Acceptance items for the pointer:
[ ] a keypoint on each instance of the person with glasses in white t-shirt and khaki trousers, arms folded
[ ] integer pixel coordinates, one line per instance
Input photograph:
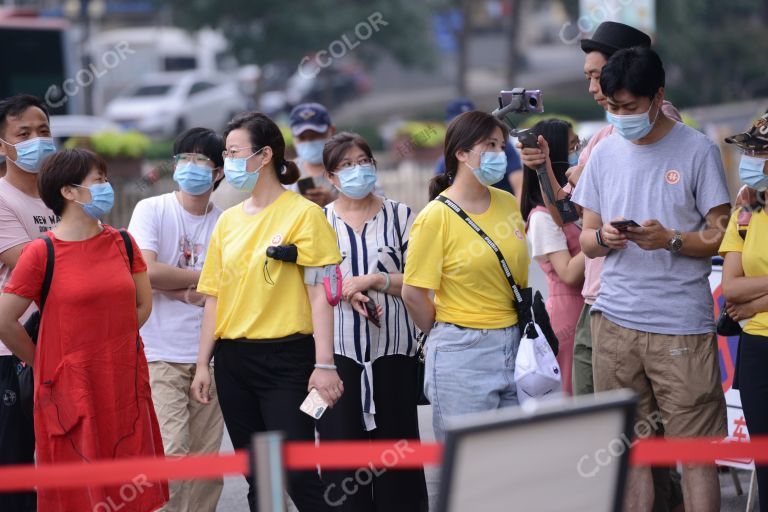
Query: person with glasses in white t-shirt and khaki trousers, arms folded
(173, 231)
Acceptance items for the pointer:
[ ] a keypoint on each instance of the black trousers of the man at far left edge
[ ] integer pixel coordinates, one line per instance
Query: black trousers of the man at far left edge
(17, 434)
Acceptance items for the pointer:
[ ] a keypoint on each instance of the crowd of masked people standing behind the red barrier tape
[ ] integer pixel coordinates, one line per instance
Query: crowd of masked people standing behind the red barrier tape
(149, 341)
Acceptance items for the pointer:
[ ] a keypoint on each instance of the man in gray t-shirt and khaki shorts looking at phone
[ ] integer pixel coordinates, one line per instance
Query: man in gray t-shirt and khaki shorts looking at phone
(652, 324)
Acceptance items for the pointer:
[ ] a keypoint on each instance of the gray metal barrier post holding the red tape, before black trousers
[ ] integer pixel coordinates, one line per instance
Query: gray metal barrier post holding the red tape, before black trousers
(268, 471)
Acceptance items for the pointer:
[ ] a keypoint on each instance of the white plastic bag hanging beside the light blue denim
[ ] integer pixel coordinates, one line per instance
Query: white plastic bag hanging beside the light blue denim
(537, 373)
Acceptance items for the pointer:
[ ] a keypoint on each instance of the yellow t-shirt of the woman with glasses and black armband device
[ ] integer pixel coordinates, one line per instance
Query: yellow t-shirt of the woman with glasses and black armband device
(255, 302)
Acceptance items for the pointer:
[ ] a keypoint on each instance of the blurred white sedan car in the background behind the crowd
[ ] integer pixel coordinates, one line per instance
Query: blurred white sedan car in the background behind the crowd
(165, 104)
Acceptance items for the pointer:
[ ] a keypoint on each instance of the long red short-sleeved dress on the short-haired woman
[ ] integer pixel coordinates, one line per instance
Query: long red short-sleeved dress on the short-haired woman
(92, 394)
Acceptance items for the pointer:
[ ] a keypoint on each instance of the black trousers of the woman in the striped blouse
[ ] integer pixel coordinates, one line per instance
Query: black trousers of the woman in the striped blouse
(367, 489)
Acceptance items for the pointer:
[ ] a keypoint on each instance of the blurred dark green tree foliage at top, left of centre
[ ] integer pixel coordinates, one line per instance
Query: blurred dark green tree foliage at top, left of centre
(262, 31)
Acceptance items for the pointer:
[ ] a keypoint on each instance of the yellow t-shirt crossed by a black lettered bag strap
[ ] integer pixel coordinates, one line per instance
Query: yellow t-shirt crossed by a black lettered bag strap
(447, 255)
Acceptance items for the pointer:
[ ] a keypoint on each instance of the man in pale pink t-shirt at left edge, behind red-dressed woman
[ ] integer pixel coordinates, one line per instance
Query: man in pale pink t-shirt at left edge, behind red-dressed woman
(25, 141)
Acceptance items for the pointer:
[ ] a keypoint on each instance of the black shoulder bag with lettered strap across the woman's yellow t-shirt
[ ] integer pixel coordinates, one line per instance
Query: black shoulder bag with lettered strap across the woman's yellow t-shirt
(529, 305)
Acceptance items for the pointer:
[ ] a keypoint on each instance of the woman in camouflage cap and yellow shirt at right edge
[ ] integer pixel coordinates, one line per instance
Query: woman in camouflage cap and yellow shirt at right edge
(745, 287)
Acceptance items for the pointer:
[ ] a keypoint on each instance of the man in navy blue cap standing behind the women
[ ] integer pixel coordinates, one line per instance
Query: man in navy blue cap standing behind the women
(311, 128)
